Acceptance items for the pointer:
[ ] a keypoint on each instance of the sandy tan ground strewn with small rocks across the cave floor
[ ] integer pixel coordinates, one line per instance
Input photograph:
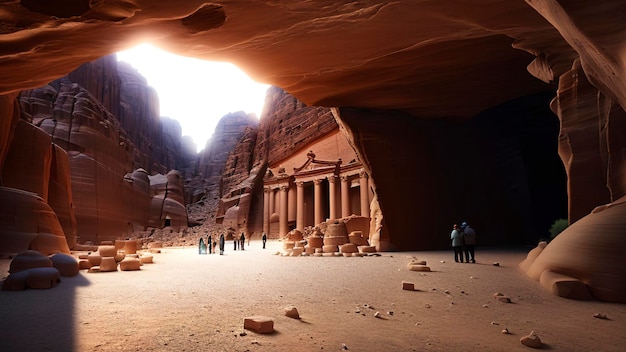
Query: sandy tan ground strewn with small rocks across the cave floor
(190, 302)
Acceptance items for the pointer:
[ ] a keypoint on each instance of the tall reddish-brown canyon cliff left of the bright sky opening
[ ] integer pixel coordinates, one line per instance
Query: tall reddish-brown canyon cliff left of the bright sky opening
(80, 123)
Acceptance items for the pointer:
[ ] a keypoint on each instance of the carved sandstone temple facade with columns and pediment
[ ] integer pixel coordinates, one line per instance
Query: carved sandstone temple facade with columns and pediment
(323, 181)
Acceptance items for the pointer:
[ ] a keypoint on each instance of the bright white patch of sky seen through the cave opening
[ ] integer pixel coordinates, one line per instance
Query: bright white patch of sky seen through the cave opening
(194, 92)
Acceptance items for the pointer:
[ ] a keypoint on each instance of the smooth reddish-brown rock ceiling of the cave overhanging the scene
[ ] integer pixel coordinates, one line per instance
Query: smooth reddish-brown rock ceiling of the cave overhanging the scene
(429, 58)
